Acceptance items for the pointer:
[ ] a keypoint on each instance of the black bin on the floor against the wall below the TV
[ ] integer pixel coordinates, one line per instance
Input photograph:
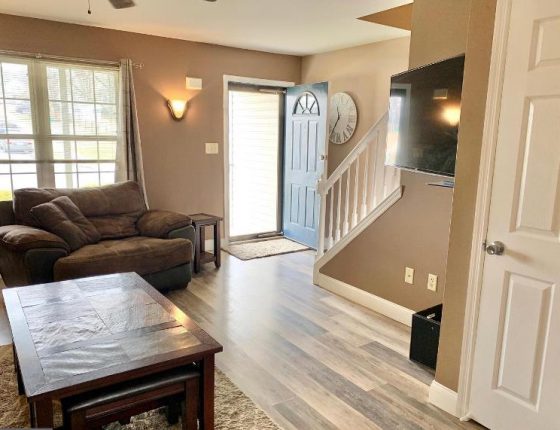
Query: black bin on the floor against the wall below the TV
(425, 336)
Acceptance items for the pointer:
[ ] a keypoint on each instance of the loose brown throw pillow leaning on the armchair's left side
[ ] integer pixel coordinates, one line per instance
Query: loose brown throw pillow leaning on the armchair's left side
(63, 218)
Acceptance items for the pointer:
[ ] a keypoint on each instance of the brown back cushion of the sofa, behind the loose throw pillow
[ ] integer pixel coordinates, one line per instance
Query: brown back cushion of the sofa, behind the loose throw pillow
(112, 209)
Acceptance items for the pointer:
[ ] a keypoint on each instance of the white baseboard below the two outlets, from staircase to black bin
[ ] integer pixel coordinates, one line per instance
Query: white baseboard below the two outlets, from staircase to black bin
(384, 307)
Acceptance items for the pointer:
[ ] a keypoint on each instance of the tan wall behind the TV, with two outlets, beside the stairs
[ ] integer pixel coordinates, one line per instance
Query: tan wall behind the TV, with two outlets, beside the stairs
(415, 231)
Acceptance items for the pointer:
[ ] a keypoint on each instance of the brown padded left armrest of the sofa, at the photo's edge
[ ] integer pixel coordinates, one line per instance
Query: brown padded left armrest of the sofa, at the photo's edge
(21, 238)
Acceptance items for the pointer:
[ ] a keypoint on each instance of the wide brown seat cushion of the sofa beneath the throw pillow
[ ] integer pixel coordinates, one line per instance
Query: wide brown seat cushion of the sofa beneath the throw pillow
(139, 254)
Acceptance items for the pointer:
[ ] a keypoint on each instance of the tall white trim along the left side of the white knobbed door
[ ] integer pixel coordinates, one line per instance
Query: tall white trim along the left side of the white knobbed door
(482, 209)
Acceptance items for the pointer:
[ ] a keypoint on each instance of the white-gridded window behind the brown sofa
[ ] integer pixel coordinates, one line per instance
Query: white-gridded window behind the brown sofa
(59, 125)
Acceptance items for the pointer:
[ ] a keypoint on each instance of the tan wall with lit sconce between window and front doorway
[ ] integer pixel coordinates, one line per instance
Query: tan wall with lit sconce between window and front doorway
(179, 176)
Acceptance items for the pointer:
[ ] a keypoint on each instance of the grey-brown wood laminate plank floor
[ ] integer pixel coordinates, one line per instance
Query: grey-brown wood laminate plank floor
(308, 358)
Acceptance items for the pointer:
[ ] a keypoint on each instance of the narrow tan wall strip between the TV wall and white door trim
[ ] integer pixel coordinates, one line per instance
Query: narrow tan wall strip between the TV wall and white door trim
(475, 87)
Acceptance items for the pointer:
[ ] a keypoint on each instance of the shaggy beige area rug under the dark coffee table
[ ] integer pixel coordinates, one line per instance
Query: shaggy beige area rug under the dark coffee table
(234, 410)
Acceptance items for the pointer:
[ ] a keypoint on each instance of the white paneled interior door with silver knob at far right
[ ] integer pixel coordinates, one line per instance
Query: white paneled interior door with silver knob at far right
(516, 373)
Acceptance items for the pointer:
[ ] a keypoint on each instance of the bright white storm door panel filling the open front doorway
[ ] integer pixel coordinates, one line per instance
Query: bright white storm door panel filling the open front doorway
(255, 121)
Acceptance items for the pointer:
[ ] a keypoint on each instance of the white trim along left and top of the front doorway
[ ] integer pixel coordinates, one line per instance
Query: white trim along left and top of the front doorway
(238, 80)
